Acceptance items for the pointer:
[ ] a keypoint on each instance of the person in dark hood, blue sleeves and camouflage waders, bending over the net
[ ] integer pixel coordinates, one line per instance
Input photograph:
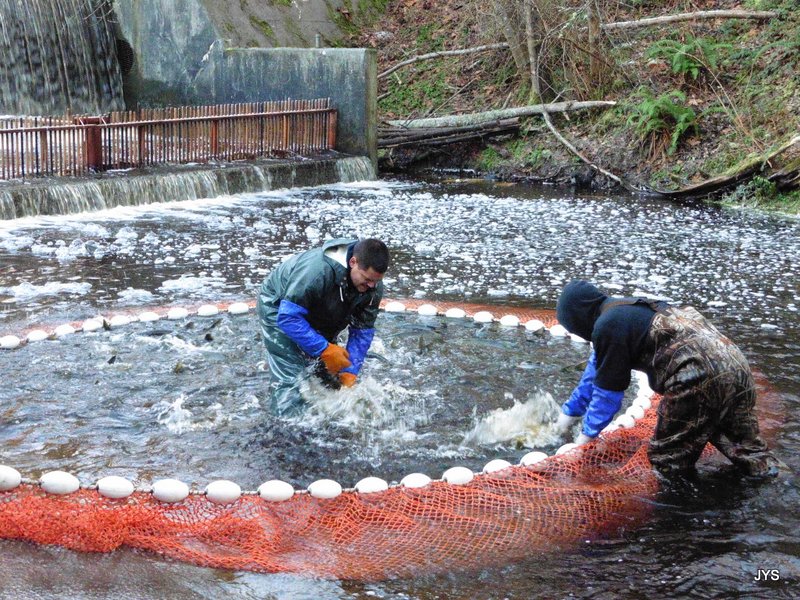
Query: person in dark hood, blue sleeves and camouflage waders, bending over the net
(707, 387)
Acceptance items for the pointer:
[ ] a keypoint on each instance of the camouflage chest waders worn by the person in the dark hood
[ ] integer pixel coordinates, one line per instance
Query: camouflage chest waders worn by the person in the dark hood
(708, 394)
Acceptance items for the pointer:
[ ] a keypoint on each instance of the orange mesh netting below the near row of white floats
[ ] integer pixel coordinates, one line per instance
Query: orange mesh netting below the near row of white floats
(495, 519)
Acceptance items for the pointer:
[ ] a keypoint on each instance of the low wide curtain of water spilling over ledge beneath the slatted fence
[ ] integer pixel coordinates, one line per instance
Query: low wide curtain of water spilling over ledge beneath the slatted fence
(81, 195)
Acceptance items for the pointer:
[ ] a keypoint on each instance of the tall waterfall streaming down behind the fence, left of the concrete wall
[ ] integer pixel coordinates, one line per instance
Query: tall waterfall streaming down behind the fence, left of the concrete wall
(58, 56)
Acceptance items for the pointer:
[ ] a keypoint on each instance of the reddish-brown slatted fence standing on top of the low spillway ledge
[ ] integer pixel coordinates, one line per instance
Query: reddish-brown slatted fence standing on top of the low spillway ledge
(64, 146)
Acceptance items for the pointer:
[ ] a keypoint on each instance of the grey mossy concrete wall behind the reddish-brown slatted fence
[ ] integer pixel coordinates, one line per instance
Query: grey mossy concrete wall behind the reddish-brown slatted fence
(179, 58)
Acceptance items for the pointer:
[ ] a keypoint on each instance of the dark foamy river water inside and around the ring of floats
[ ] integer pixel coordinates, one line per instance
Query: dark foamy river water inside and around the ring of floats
(185, 398)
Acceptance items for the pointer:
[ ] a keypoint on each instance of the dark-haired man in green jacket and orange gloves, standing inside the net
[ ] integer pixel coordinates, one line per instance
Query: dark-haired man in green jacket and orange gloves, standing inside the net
(307, 301)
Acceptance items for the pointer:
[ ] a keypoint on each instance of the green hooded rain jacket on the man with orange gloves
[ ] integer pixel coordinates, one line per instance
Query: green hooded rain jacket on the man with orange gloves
(317, 280)
